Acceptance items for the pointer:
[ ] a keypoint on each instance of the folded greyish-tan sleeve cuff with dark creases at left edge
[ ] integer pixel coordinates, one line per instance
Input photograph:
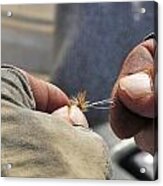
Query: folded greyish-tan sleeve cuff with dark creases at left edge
(16, 88)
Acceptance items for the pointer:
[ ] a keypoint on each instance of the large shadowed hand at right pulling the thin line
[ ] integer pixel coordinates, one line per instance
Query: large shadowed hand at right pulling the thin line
(134, 113)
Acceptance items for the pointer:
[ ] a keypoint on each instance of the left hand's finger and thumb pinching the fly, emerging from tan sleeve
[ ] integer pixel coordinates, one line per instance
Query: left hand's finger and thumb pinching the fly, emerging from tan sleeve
(51, 99)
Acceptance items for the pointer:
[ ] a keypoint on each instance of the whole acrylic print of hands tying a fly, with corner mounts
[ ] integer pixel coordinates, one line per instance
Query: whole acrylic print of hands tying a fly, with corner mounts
(101, 123)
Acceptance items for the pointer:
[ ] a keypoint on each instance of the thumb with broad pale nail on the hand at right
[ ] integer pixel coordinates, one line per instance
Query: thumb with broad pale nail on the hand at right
(136, 92)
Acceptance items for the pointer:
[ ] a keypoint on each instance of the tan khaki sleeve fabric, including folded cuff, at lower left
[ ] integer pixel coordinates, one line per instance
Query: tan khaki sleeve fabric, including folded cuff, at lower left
(37, 144)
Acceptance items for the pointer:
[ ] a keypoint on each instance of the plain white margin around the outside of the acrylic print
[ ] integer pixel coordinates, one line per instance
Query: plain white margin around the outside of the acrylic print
(52, 182)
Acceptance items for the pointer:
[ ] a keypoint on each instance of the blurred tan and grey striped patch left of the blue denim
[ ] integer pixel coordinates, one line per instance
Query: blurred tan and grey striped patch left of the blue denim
(28, 37)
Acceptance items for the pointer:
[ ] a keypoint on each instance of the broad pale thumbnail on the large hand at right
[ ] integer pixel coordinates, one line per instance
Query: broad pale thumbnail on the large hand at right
(136, 85)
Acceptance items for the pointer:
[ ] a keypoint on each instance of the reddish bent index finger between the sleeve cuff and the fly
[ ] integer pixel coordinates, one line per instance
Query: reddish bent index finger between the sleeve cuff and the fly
(48, 97)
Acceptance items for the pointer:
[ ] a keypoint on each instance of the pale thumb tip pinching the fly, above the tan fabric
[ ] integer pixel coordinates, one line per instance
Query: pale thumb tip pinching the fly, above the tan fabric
(72, 114)
